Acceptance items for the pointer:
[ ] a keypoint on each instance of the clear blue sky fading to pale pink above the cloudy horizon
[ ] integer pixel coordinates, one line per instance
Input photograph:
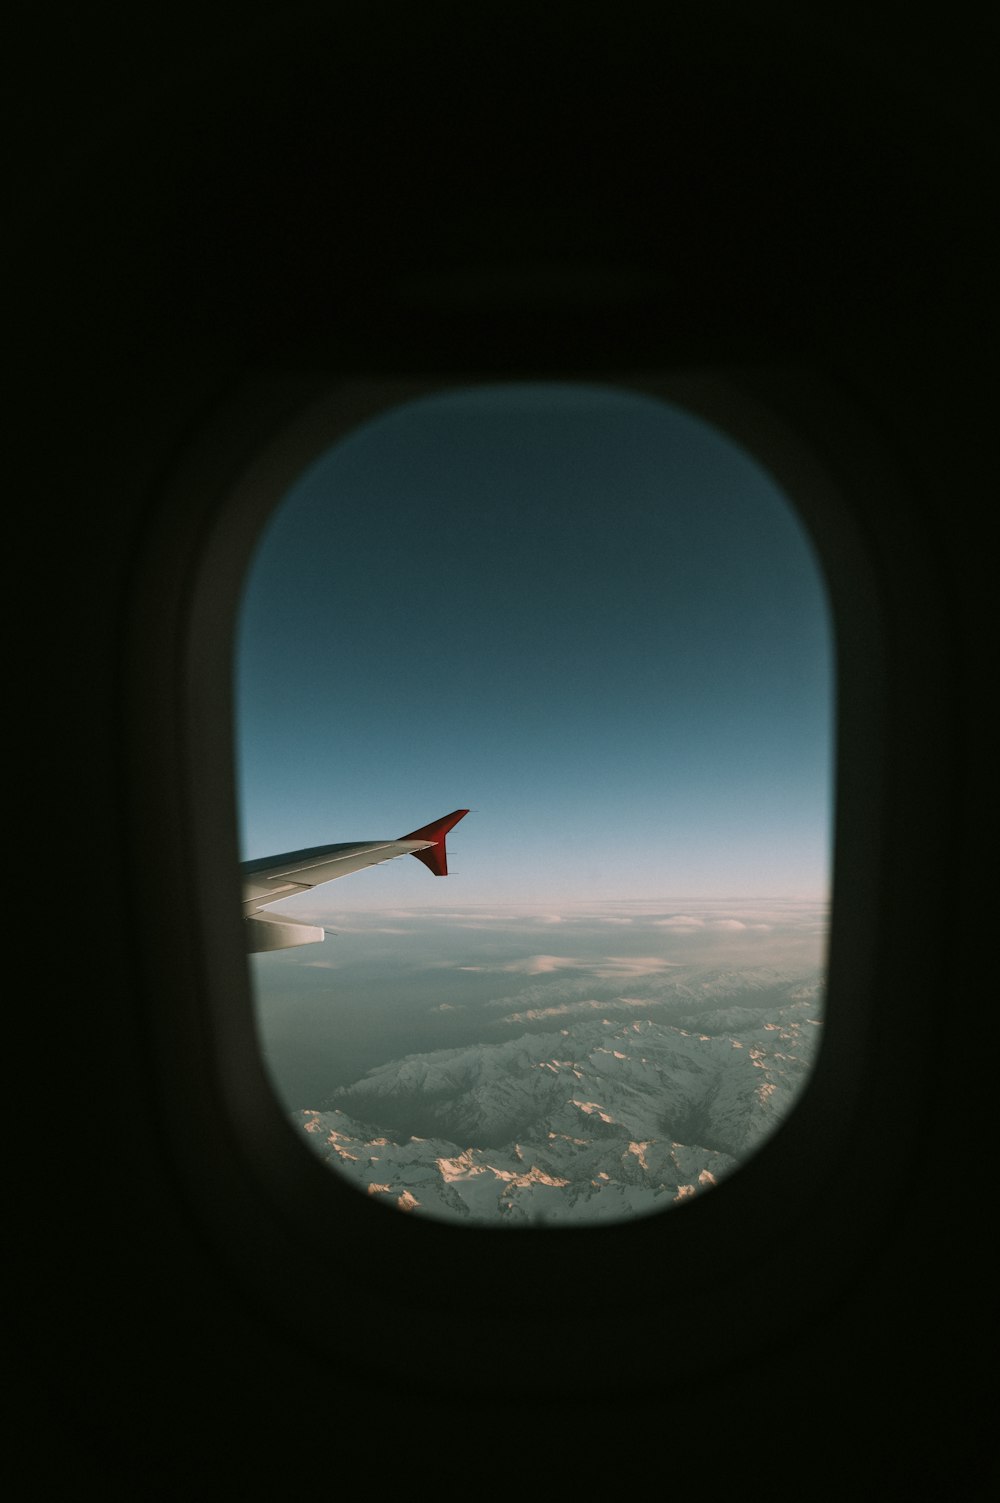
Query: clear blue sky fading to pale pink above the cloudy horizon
(583, 614)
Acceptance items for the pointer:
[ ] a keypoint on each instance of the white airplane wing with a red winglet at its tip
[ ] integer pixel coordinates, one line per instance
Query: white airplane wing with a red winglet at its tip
(274, 877)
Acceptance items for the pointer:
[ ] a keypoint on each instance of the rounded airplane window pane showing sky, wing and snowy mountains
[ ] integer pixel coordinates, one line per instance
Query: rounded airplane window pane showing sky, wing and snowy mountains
(596, 623)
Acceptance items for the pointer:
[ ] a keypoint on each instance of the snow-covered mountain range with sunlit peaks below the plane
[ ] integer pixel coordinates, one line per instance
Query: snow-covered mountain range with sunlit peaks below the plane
(605, 1119)
